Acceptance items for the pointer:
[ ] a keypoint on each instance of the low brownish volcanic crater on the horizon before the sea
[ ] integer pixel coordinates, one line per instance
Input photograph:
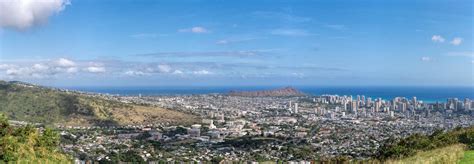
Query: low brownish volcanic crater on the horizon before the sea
(287, 91)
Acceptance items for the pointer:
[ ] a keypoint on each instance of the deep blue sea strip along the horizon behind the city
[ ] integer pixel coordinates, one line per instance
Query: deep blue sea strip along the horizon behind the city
(427, 94)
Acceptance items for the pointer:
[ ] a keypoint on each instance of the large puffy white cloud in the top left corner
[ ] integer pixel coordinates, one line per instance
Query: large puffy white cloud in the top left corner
(23, 14)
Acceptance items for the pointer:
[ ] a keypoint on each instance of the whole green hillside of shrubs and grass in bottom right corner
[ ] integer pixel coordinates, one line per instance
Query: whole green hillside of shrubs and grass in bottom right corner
(454, 146)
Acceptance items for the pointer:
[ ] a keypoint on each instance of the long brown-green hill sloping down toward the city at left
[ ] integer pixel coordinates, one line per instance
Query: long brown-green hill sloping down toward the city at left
(35, 104)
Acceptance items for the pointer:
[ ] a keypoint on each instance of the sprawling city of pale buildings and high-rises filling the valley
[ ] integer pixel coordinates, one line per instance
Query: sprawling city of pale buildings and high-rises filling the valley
(273, 128)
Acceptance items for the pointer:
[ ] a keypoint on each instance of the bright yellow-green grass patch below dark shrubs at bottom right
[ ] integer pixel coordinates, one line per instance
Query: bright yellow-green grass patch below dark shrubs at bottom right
(449, 154)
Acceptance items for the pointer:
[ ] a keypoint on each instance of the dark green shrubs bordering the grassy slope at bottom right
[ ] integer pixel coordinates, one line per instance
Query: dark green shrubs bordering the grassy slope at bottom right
(415, 143)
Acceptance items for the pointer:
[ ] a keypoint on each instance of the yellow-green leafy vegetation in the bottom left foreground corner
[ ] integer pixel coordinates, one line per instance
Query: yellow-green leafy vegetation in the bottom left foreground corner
(25, 144)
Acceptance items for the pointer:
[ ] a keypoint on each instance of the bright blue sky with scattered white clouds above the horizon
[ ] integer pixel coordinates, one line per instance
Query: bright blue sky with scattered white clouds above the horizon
(163, 43)
